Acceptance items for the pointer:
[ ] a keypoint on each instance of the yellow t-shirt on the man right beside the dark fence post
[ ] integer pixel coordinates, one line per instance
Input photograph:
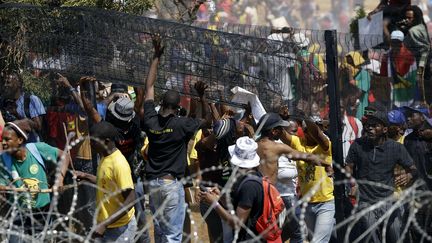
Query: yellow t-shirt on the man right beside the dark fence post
(310, 175)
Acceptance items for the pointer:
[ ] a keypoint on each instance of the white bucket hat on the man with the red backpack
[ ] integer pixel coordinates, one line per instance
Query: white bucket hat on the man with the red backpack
(243, 153)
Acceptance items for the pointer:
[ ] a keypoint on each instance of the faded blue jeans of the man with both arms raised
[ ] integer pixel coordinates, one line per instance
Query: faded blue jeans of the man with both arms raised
(167, 203)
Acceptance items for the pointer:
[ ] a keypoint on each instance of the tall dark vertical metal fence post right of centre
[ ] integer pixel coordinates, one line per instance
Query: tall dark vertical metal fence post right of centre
(335, 122)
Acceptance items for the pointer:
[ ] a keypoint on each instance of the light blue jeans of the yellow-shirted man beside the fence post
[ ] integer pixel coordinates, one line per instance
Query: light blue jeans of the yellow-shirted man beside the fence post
(320, 220)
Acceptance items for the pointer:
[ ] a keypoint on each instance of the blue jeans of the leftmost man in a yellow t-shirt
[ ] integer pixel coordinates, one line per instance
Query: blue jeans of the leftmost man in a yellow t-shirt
(123, 234)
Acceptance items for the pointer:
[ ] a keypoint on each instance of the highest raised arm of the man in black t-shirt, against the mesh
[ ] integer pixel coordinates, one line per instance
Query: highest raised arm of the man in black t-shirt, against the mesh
(151, 78)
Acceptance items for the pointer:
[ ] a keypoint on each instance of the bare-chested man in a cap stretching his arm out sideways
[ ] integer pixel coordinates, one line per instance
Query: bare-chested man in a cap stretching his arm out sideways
(269, 150)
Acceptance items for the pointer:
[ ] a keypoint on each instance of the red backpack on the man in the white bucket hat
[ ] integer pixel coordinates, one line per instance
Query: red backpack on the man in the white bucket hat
(273, 205)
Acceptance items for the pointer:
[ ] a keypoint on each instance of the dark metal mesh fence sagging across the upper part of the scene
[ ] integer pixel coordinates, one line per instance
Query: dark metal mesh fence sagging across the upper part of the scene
(305, 69)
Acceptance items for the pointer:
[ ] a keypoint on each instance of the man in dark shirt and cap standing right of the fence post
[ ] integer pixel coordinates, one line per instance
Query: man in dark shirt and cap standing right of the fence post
(371, 160)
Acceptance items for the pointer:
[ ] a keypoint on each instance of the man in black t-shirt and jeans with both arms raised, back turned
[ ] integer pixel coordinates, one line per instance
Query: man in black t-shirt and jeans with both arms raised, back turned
(168, 136)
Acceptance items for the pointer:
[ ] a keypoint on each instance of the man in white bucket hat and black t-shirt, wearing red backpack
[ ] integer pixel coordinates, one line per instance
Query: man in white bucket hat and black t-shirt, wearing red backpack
(248, 197)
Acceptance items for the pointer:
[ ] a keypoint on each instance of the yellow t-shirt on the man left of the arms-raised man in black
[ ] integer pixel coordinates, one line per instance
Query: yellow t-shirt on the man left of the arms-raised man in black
(113, 176)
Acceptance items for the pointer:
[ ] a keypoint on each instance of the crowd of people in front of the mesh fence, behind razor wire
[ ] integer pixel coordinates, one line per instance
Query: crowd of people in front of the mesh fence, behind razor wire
(221, 159)
